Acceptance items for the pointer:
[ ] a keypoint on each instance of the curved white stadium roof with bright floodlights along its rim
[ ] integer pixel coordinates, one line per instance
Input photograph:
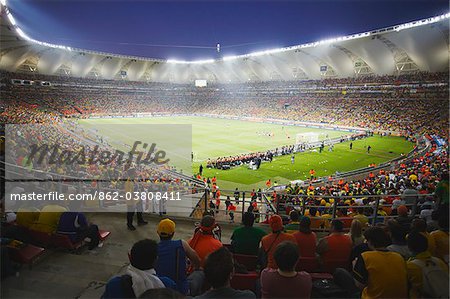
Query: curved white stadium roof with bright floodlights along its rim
(417, 46)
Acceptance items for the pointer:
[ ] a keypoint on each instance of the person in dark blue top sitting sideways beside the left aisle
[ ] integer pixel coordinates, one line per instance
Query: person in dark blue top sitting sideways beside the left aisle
(76, 226)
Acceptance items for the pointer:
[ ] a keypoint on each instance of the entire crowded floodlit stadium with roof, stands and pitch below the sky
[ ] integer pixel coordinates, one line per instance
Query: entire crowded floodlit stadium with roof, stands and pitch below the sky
(322, 166)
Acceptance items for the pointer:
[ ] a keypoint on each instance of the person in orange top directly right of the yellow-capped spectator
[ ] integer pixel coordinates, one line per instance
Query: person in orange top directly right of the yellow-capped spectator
(203, 241)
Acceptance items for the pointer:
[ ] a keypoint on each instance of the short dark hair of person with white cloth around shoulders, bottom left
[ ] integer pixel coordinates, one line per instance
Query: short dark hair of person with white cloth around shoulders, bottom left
(143, 254)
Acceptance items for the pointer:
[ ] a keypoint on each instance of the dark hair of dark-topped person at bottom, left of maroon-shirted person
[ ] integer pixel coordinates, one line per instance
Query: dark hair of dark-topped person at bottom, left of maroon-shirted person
(218, 267)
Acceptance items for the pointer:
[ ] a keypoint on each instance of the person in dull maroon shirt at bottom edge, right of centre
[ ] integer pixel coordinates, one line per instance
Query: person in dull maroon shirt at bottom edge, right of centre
(274, 282)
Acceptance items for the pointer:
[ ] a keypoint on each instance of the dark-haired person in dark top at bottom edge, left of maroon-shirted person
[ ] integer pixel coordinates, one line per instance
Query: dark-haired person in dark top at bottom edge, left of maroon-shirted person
(218, 272)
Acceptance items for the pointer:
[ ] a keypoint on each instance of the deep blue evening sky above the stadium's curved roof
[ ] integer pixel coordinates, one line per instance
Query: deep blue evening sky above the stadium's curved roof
(190, 30)
